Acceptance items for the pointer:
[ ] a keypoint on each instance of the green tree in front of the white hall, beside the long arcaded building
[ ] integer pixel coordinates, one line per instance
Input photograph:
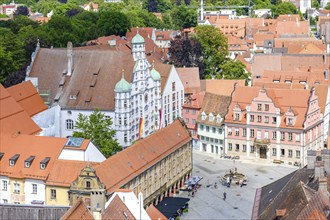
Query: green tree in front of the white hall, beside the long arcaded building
(97, 128)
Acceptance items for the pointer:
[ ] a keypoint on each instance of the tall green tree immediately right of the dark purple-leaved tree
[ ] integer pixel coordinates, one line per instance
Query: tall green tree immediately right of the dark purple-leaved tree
(214, 46)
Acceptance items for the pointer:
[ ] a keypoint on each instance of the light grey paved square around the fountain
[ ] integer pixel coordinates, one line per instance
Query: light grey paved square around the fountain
(208, 202)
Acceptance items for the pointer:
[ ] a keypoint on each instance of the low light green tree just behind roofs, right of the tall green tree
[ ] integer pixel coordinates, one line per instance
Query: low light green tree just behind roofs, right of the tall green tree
(232, 69)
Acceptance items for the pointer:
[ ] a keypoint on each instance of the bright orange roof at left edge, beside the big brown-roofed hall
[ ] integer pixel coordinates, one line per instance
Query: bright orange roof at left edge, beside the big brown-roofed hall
(27, 96)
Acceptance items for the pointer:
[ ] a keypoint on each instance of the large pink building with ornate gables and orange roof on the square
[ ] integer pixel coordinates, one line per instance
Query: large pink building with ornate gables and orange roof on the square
(273, 124)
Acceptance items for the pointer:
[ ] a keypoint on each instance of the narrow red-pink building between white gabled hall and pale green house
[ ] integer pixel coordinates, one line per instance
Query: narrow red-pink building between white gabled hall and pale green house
(190, 111)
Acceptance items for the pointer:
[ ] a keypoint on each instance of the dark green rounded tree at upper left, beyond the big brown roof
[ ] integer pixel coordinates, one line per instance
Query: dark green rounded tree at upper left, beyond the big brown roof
(113, 22)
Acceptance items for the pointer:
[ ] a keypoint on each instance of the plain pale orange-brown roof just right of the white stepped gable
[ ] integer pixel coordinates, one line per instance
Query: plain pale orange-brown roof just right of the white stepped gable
(190, 79)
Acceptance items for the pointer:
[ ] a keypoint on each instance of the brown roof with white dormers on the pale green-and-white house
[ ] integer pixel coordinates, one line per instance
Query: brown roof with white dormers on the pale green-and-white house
(215, 104)
